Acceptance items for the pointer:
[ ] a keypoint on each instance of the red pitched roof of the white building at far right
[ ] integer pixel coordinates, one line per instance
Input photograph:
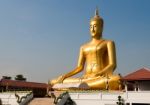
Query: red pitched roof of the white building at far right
(141, 74)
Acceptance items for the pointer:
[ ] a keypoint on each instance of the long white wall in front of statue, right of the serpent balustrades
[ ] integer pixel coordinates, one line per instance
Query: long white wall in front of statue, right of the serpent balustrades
(110, 98)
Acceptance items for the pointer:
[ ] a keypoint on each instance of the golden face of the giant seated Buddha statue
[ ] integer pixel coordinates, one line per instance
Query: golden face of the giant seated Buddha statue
(95, 29)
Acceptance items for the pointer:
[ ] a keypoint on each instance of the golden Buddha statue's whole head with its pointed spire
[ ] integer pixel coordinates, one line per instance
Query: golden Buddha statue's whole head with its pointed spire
(96, 25)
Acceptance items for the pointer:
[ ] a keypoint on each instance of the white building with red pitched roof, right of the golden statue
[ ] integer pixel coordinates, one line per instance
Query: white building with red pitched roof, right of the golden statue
(138, 80)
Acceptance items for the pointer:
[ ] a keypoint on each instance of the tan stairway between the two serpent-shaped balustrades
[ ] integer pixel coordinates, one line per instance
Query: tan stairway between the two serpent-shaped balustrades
(41, 101)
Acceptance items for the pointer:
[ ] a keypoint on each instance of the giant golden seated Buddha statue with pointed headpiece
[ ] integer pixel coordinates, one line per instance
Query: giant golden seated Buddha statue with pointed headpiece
(99, 57)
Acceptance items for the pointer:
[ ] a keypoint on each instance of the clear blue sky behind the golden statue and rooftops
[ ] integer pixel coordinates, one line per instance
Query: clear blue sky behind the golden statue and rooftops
(41, 38)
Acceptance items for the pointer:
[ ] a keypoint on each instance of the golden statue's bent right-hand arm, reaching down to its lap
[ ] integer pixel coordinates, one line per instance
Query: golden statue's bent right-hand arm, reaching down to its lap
(108, 70)
